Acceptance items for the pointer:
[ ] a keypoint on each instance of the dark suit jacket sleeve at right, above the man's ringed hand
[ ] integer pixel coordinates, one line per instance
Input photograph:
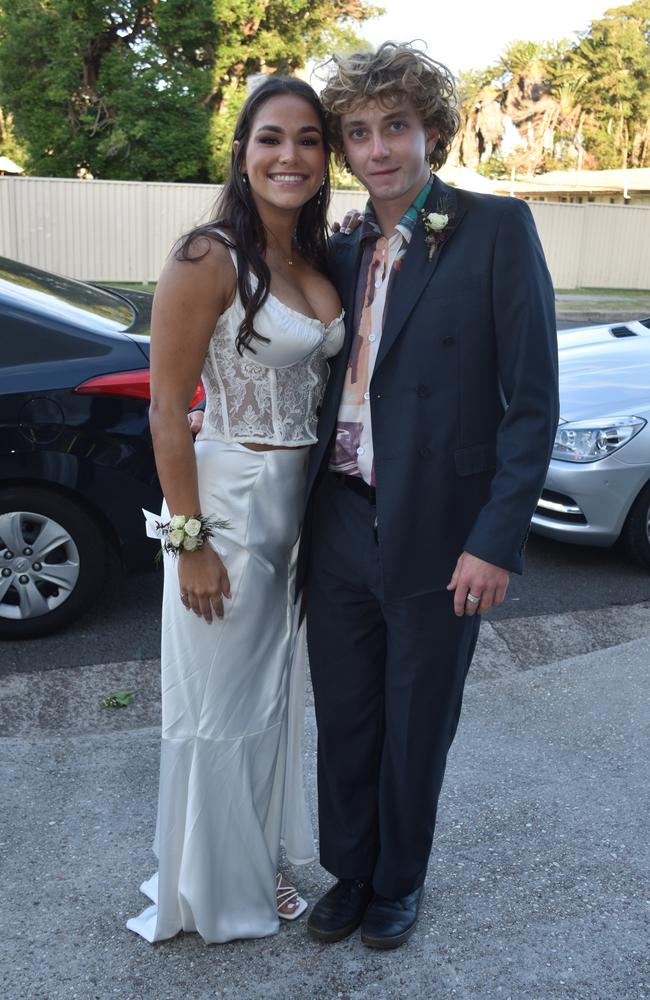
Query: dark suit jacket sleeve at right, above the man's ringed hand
(526, 343)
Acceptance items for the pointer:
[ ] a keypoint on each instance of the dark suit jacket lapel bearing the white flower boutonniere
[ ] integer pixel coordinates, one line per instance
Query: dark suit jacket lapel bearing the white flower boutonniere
(417, 269)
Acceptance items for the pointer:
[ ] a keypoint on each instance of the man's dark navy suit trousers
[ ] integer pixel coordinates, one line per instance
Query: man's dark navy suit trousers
(388, 683)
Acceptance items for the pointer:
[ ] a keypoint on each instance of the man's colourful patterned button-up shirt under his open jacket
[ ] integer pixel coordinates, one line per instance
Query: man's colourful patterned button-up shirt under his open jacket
(381, 259)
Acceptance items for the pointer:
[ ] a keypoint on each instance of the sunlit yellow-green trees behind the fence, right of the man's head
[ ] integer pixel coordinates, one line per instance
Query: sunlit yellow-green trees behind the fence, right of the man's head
(585, 103)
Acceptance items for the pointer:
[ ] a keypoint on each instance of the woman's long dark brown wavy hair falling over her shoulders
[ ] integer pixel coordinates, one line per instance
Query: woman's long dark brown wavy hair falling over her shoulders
(235, 211)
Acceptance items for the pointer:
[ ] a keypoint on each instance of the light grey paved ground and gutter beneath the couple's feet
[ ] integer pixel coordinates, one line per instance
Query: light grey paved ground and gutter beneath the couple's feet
(538, 880)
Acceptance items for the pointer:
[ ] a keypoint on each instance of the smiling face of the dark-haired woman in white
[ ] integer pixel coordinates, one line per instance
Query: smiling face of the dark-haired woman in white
(285, 154)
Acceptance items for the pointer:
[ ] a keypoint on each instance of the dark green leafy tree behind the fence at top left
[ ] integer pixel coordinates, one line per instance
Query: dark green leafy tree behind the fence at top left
(113, 89)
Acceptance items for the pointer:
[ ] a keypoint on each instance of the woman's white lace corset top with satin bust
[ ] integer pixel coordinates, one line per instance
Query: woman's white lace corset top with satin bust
(272, 396)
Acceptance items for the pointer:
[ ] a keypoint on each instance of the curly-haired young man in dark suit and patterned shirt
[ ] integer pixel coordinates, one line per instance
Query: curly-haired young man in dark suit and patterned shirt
(435, 435)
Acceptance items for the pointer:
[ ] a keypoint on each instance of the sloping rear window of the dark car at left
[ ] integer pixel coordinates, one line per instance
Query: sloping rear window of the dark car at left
(62, 298)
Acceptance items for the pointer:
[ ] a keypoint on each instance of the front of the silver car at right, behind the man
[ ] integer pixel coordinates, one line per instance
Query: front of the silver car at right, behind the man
(598, 483)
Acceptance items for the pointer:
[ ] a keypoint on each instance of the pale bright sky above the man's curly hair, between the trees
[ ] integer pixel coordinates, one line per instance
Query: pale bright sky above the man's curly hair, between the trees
(471, 34)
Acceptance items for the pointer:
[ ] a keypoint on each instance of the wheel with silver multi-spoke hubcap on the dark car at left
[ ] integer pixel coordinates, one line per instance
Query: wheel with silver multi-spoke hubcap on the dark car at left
(52, 562)
